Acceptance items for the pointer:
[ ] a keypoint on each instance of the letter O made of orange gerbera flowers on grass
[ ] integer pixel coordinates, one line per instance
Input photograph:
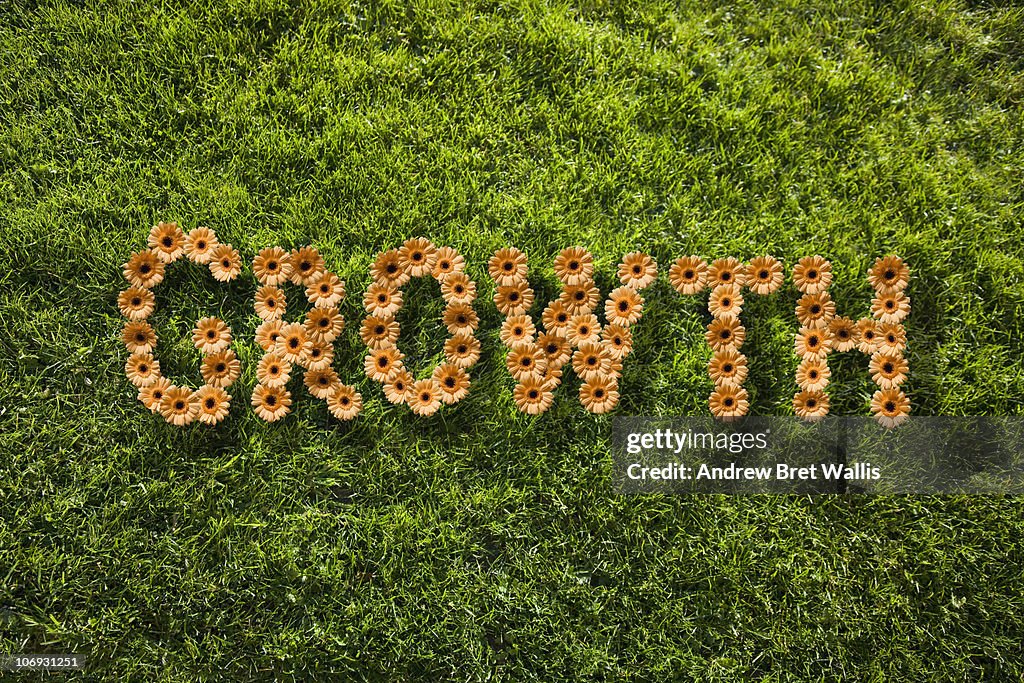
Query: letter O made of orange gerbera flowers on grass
(450, 381)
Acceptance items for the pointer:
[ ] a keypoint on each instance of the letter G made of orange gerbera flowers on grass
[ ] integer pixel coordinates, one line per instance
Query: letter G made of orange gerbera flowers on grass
(145, 270)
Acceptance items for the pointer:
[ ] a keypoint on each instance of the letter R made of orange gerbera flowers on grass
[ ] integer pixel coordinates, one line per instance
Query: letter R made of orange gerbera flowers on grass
(309, 345)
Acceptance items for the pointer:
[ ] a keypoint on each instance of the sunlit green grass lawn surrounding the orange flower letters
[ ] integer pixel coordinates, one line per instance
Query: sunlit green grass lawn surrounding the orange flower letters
(481, 543)
